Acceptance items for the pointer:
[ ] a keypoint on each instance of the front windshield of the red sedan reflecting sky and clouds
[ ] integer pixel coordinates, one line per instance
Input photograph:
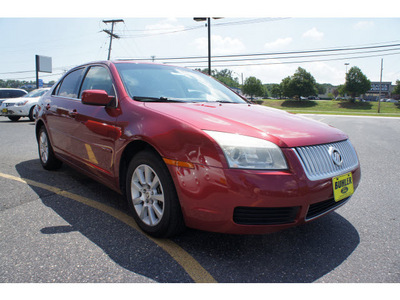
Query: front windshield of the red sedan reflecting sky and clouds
(148, 82)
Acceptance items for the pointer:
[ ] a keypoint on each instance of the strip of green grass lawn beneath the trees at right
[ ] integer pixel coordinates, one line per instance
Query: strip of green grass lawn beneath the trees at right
(336, 107)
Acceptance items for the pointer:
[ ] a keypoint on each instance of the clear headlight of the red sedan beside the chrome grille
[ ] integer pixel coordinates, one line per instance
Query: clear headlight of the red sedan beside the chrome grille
(245, 152)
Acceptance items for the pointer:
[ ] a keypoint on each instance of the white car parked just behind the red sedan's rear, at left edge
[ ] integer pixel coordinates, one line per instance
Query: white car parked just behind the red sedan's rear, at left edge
(24, 106)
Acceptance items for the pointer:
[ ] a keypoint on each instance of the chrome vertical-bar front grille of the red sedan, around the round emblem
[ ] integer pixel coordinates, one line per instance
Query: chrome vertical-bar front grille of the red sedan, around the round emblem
(318, 163)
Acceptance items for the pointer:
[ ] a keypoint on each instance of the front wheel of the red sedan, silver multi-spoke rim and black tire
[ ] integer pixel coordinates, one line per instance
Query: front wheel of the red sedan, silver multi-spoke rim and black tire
(152, 197)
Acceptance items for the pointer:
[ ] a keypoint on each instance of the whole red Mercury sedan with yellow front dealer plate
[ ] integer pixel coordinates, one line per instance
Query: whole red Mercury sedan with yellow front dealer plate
(187, 151)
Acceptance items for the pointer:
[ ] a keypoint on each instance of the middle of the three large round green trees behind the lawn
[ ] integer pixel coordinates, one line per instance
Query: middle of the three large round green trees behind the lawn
(301, 83)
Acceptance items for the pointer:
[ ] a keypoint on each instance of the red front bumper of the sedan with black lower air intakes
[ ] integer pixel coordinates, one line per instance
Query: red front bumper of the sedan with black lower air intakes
(252, 201)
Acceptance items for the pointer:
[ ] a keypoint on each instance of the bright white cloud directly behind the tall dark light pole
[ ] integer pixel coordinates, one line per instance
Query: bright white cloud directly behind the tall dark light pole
(220, 45)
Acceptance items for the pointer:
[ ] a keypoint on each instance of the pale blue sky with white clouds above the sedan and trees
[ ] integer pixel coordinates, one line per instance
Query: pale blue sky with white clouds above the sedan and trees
(73, 34)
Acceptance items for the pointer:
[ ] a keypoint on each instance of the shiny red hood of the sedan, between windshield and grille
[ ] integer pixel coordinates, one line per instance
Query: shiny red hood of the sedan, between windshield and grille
(282, 128)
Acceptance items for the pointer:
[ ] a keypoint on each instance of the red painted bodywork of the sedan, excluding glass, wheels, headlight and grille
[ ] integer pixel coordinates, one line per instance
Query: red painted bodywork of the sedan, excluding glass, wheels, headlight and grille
(94, 140)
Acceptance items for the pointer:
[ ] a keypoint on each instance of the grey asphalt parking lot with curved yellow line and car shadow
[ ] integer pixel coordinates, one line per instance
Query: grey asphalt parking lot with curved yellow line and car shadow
(63, 227)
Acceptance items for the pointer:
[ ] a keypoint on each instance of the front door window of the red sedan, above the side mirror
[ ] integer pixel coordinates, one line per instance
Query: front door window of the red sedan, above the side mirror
(98, 78)
